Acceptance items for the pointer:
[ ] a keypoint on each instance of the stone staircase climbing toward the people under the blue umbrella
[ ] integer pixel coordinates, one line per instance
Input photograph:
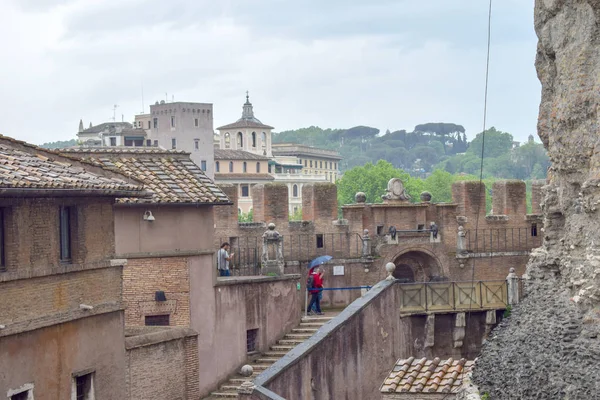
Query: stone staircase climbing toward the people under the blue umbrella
(308, 326)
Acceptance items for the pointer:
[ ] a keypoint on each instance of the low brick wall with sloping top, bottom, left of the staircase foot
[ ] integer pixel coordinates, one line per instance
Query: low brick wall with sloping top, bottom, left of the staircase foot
(162, 363)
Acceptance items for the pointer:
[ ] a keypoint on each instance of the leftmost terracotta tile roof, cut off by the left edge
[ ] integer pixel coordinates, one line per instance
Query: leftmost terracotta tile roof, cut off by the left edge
(26, 166)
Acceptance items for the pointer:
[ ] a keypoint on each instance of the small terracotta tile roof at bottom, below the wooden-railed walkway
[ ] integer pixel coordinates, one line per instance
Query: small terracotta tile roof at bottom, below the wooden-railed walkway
(426, 376)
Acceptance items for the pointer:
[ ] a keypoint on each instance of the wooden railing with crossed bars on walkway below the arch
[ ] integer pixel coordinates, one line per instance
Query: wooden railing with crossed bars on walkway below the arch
(453, 296)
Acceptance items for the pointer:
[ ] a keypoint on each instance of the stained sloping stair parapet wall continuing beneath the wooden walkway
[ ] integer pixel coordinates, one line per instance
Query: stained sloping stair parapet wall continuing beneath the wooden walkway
(351, 356)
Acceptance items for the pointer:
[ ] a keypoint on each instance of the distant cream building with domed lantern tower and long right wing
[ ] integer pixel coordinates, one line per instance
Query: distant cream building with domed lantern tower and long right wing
(245, 156)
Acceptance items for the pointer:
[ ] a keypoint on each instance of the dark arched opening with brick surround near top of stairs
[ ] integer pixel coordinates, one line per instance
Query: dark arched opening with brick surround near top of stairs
(417, 265)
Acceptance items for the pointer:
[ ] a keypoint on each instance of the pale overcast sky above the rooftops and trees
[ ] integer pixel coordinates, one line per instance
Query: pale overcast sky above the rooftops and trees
(390, 64)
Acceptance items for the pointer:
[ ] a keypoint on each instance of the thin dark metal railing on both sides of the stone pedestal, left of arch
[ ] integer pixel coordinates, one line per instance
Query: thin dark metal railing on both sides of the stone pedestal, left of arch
(298, 247)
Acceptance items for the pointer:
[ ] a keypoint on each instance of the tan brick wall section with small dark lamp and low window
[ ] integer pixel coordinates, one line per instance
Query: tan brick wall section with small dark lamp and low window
(142, 277)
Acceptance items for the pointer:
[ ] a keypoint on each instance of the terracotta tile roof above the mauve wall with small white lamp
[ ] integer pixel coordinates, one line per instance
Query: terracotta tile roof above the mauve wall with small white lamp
(171, 176)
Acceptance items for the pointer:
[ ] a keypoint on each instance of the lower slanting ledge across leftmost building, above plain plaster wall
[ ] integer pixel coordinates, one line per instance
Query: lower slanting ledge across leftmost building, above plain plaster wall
(58, 318)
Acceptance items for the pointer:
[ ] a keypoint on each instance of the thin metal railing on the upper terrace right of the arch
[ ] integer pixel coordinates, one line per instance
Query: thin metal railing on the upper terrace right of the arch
(502, 240)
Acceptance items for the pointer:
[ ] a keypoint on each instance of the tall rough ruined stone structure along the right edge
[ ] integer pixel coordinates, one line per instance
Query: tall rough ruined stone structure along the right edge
(550, 348)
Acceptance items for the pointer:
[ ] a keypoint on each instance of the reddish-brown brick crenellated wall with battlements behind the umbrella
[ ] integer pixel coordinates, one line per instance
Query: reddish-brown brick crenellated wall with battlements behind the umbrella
(502, 238)
